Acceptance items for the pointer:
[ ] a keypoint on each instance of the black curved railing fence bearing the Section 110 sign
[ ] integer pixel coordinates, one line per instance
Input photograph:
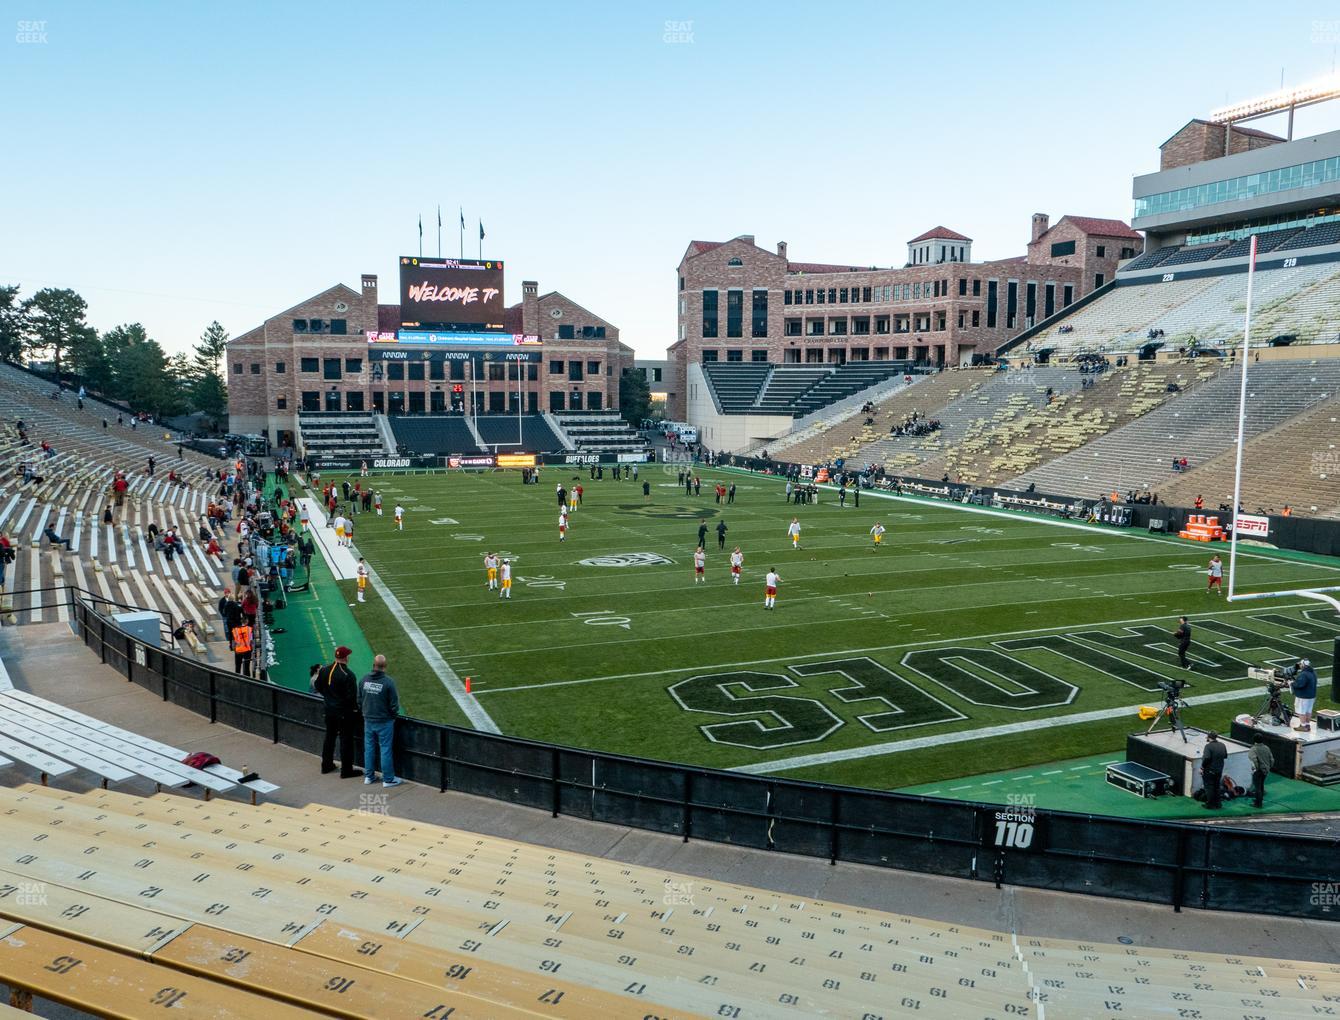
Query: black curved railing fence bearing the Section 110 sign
(1160, 863)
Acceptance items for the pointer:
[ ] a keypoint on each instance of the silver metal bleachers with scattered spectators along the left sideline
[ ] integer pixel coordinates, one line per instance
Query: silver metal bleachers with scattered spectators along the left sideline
(116, 564)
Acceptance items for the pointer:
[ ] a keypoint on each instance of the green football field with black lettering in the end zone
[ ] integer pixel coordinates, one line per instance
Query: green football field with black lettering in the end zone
(971, 643)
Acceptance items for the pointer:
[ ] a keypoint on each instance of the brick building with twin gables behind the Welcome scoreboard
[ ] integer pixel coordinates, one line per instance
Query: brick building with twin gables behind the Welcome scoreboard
(317, 357)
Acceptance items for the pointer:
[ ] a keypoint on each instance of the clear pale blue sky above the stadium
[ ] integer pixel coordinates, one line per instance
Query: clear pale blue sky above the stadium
(179, 163)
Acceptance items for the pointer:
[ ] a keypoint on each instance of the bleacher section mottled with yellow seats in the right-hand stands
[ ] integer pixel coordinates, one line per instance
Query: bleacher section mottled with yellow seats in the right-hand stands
(1002, 450)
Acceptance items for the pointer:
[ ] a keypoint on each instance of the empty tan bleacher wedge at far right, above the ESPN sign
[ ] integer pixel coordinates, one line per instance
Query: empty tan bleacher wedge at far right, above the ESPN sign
(1296, 463)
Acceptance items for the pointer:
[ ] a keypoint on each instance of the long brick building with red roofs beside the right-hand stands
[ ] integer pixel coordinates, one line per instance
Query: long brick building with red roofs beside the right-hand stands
(742, 302)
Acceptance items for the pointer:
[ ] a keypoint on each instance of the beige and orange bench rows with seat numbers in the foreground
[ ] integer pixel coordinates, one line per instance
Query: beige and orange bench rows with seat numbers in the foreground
(321, 923)
